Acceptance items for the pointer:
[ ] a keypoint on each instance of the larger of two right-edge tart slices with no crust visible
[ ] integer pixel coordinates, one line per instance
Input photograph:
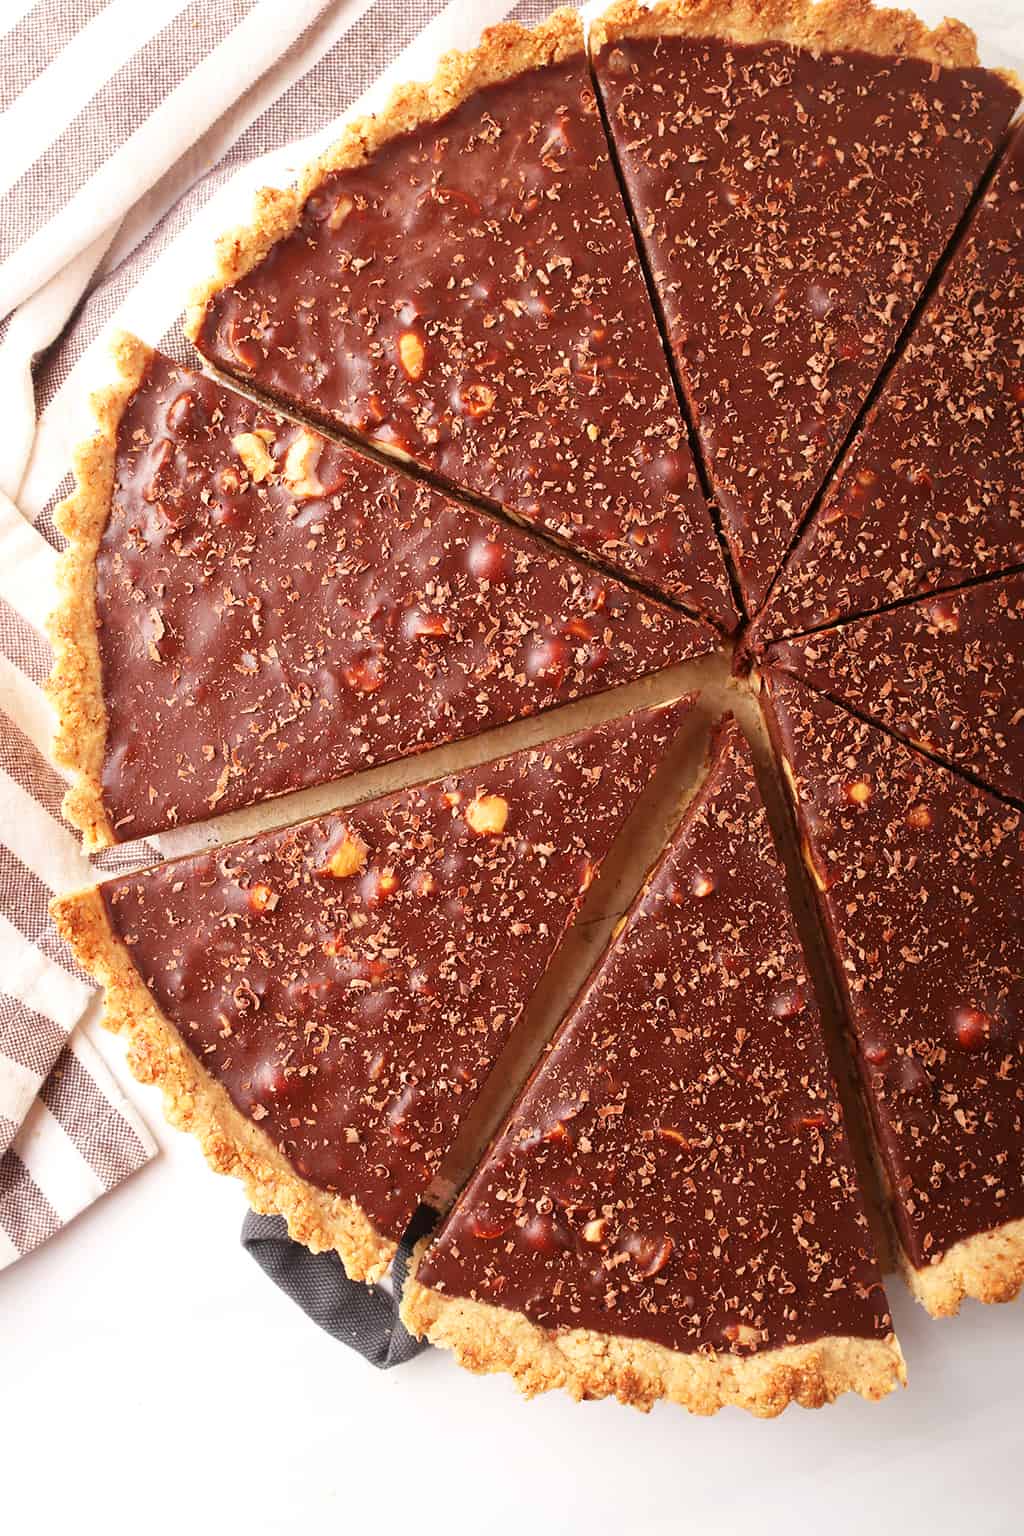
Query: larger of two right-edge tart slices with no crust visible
(933, 488)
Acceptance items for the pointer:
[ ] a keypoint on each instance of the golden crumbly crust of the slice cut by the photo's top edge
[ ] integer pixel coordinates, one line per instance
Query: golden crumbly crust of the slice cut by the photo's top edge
(825, 27)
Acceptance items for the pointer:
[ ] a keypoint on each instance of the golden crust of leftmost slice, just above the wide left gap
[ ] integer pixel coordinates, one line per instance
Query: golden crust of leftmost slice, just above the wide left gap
(76, 681)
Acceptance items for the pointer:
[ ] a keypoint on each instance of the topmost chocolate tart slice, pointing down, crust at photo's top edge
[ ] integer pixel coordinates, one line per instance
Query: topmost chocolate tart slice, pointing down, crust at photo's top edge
(796, 173)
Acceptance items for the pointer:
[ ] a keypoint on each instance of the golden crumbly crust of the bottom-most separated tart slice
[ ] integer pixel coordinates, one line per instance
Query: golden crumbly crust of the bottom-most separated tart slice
(638, 1372)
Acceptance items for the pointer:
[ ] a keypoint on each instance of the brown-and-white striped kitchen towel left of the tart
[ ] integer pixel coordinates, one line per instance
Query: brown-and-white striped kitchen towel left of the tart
(134, 133)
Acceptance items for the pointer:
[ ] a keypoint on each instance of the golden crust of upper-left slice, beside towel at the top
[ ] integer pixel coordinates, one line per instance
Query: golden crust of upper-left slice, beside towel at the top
(504, 51)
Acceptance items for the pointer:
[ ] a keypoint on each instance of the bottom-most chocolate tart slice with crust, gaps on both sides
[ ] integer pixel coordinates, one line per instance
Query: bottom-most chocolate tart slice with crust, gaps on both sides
(672, 1210)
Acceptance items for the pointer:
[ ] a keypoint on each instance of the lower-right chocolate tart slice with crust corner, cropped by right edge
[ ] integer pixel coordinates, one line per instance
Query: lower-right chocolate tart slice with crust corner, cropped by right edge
(920, 879)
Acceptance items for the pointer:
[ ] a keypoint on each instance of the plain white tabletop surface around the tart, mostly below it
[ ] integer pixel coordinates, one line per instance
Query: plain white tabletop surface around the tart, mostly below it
(153, 1380)
